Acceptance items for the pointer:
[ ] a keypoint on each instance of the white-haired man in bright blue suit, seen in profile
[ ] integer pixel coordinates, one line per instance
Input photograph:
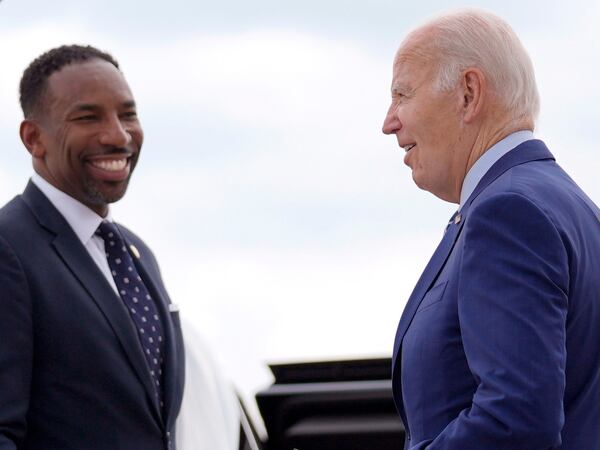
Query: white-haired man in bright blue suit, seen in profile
(499, 344)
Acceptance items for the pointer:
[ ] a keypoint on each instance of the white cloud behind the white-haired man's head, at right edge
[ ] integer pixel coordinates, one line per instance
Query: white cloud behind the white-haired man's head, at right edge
(567, 71)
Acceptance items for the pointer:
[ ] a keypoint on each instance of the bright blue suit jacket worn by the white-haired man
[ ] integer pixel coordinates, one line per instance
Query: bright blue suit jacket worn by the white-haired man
(499, 344)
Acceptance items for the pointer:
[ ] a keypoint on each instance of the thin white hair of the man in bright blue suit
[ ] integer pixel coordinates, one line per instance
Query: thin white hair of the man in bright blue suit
(477, 38)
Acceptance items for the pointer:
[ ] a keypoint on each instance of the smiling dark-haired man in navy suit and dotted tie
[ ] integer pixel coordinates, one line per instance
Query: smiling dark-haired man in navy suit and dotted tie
(91, 352)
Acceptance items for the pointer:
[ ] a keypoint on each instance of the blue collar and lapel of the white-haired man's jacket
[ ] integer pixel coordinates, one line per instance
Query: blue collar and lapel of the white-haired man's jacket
(532, 150)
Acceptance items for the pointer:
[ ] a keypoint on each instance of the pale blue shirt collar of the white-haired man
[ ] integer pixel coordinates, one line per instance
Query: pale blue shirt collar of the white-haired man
(488, 159)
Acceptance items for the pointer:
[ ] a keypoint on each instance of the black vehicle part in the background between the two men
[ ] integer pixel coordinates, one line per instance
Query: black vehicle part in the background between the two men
(330, 405)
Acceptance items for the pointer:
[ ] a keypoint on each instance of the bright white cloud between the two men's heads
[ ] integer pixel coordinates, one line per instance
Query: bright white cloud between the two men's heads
(272, 80)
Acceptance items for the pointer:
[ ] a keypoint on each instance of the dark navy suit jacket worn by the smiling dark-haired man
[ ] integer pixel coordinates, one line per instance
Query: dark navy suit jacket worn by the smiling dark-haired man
(72, 372)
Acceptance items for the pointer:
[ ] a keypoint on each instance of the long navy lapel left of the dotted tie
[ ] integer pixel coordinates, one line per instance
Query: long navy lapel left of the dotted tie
(77, 259)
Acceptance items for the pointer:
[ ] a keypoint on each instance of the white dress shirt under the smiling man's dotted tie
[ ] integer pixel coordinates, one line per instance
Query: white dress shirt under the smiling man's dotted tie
(82, 220)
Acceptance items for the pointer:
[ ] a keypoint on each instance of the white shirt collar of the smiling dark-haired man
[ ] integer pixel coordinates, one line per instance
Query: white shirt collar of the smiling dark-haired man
(80, 218)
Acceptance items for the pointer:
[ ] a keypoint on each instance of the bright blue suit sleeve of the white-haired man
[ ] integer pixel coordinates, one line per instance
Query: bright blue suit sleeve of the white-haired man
(513, 299)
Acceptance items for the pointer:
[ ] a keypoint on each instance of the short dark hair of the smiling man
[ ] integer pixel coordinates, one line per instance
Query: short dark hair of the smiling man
(35, 78)
